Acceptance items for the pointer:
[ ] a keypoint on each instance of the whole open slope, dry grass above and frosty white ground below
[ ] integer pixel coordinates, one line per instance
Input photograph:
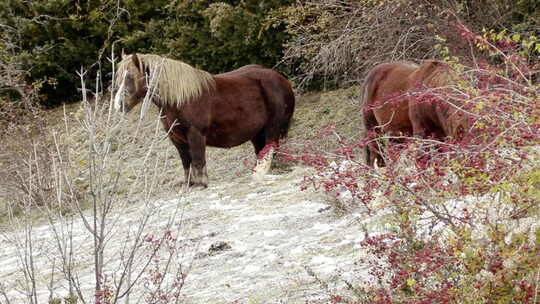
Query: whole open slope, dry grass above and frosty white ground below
(246, 241)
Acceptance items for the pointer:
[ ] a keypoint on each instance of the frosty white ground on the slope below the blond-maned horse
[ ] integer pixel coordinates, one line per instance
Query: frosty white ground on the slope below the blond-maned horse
(277, 235)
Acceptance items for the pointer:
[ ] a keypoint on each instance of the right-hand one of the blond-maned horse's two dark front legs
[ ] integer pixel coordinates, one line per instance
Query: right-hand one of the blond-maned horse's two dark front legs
(197, 145)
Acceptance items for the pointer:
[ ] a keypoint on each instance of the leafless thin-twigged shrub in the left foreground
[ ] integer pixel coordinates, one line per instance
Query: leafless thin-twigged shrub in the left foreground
(87, 214)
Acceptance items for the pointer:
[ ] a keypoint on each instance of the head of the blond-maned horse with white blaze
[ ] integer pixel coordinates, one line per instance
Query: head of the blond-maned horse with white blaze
(131, 81)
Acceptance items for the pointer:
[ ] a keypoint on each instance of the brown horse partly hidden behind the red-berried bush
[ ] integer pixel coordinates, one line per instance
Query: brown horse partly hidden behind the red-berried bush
(392, 103)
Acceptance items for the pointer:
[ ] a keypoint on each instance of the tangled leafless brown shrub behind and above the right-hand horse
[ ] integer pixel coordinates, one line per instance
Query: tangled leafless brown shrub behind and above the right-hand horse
(337, 41)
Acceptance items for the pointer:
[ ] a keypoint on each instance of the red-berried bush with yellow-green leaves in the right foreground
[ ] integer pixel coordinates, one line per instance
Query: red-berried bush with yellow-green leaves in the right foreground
(462, 220)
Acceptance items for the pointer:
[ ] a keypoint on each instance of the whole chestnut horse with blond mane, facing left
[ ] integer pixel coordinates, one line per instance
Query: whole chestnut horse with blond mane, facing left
(199, 109)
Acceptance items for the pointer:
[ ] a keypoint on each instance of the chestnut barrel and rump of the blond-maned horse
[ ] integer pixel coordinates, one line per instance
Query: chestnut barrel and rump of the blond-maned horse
(243, 103)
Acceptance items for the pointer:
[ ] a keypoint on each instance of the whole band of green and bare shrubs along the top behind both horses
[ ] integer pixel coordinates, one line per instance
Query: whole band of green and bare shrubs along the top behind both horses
(53, 39)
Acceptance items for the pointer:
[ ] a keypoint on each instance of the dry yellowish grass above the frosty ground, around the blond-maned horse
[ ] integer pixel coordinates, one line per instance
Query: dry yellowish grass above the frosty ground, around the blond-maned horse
(313, 112)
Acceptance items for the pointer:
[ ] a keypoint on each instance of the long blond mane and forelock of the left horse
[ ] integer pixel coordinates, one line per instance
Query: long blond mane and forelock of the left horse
(175, 82)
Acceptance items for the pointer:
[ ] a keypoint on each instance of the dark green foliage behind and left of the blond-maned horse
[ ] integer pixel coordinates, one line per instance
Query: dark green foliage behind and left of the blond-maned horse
(54, 39)
